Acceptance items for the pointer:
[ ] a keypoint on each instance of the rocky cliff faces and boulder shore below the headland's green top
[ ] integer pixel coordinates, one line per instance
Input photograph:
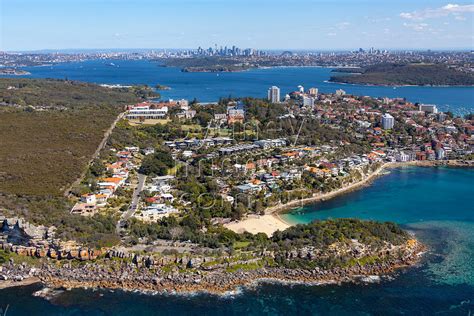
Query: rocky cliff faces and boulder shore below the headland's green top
(191, 273)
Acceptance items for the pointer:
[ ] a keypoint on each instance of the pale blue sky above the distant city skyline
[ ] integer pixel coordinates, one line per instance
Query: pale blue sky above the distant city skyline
(262, 24)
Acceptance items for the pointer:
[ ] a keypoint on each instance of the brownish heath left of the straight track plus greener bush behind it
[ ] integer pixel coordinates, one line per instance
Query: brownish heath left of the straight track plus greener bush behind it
(44, 151)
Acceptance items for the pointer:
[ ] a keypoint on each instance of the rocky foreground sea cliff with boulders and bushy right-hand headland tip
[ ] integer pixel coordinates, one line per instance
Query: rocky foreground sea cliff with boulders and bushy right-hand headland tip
(332, 251)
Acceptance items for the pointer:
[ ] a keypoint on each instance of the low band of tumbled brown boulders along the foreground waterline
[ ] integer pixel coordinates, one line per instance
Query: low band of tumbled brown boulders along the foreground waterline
(144, 279)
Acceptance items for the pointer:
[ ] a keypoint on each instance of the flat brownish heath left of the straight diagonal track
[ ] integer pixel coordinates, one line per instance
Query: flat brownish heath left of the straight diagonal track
(43, 152)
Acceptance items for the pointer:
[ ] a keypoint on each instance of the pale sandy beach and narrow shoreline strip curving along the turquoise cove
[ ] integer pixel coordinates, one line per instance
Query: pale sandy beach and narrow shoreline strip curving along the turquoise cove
(272, 219)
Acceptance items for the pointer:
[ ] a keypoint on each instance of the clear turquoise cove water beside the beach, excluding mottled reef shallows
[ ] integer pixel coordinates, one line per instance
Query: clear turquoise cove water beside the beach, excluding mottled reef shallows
(406, 195)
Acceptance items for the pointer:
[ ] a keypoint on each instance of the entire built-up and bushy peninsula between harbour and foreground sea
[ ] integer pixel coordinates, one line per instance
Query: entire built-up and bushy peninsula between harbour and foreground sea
(157, 195)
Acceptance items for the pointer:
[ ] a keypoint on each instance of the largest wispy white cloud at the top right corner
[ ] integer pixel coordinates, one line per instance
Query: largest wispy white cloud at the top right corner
(456, 10)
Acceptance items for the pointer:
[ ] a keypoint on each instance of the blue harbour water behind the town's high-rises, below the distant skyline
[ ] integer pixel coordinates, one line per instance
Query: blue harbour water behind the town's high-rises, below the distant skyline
(208, 87)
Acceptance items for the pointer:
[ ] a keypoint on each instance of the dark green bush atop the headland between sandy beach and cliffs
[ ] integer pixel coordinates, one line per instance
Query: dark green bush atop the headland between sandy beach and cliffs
(321, 235)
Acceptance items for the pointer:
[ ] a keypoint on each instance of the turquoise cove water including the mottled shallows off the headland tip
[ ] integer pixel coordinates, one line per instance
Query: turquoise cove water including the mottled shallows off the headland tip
(423, 200)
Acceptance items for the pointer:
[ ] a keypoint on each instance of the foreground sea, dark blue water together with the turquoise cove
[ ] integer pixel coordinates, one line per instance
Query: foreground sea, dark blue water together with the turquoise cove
(437, 204)
